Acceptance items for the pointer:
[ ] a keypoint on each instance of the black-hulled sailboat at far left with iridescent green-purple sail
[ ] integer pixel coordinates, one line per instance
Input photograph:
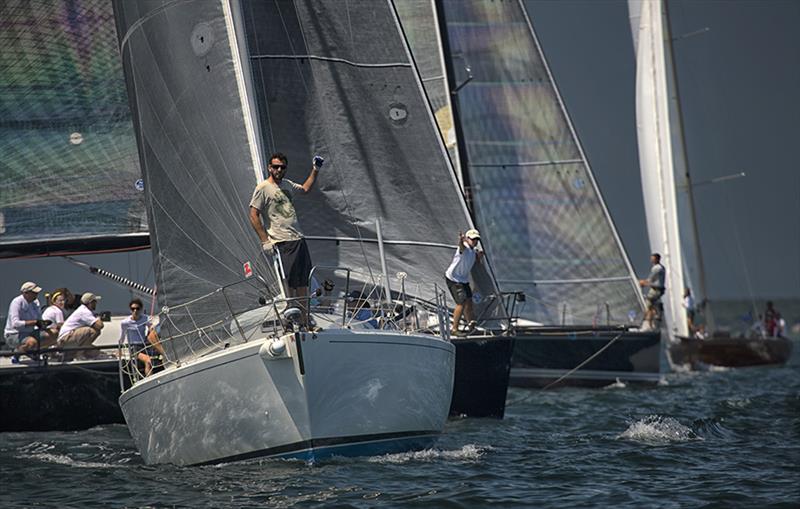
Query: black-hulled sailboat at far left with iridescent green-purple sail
(70, 186)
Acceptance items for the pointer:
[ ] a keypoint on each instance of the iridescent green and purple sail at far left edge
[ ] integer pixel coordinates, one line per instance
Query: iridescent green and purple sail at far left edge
(71, 177)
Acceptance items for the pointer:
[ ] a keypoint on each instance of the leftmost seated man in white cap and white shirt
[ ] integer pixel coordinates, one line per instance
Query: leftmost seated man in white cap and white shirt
(25, 331)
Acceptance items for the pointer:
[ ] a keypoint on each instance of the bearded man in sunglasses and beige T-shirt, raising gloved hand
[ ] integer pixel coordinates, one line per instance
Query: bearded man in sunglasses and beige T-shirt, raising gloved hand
(274, 220)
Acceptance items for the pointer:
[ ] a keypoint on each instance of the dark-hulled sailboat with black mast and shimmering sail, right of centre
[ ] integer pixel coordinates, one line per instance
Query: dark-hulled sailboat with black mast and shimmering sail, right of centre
(553, 246)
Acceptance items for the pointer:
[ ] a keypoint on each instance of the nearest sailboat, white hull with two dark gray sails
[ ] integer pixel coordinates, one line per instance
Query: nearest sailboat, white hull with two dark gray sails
(215, 86)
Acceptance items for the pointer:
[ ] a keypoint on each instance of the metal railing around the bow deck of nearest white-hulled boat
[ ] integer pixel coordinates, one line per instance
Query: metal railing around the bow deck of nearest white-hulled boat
(239, 312)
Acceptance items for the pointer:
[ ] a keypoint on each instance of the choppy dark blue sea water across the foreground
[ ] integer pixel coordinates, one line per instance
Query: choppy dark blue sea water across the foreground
(720, 438)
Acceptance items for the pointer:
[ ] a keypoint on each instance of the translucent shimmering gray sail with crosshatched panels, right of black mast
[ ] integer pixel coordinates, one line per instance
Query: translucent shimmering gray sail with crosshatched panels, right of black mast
(544, 223)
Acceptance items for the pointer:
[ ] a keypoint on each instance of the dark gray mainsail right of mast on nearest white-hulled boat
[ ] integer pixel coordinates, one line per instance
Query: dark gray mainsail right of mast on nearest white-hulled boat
(337, 79)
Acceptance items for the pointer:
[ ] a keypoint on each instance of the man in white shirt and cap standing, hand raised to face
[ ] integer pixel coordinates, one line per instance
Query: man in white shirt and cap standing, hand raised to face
(457, 277)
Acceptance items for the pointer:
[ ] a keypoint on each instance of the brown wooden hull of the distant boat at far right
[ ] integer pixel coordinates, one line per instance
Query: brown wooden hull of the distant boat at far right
(729, 352)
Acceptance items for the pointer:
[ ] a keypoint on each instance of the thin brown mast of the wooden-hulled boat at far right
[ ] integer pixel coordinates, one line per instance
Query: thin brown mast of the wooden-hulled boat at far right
(676, 102)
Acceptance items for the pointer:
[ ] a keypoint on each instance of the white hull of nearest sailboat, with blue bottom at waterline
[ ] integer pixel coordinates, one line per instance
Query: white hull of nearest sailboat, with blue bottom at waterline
(335, 392)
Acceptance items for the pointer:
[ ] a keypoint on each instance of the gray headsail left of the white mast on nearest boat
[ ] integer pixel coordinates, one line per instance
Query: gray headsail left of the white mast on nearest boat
(198, 162)
